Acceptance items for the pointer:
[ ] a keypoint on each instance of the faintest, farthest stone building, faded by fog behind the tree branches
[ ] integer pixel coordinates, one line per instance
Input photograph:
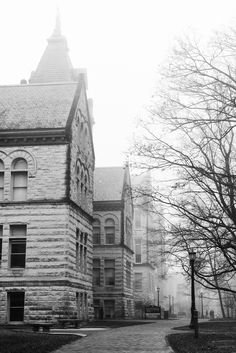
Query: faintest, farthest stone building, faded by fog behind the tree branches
(148, 243)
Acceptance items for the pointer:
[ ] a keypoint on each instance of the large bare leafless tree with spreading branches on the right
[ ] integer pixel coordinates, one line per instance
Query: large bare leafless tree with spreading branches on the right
(189, 138)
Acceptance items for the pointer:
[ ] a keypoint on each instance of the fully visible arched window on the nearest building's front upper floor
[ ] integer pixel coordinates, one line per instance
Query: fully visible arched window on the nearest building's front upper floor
(19, 179)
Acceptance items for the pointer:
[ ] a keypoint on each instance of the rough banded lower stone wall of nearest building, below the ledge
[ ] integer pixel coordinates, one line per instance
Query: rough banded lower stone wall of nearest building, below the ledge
(50, 270)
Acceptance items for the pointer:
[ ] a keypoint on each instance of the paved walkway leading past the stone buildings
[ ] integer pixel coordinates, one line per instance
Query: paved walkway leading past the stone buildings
(141, 338)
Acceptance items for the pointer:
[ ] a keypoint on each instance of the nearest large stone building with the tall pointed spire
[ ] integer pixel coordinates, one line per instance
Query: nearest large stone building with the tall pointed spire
(46, 192)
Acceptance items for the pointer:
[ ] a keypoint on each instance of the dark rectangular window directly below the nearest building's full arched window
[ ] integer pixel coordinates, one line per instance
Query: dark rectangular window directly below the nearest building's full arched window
(17, 246)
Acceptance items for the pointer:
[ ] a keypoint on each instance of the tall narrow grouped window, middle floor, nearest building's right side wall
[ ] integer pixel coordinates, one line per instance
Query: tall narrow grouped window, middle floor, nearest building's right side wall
(81, 251)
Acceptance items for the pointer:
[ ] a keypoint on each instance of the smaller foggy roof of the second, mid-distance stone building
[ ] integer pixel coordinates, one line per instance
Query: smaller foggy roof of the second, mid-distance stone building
(109, 183)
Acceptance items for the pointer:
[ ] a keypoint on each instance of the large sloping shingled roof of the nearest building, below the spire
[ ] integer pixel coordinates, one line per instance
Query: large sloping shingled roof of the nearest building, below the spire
(36, 106)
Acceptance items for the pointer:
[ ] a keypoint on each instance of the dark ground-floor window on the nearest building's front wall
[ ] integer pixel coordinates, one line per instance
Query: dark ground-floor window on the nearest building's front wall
(16, 306)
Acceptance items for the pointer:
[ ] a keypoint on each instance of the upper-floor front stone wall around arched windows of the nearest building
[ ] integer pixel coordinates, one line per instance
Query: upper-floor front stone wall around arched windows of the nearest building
(47, 171)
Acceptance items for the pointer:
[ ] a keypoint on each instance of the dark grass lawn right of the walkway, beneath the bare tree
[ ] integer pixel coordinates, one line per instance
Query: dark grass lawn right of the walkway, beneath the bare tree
(214, 337)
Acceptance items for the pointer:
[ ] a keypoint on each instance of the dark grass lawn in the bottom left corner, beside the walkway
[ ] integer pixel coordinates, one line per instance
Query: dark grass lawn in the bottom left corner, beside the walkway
(28, 342)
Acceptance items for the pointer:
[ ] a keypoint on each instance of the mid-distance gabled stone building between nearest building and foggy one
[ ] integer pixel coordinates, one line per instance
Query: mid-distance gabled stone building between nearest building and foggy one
(112, 241)
